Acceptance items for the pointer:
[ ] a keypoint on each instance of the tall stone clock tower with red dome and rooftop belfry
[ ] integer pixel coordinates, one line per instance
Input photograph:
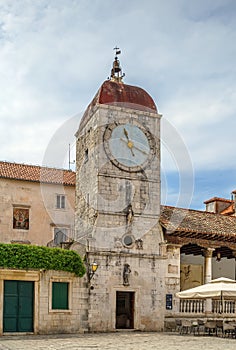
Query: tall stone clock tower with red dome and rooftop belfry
(118, 206)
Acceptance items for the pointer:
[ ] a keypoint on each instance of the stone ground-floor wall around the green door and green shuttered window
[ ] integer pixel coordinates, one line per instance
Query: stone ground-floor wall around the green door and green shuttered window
(45, 319)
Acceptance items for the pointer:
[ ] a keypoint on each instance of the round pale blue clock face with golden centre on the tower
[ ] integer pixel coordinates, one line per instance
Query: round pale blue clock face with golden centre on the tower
(129, 146)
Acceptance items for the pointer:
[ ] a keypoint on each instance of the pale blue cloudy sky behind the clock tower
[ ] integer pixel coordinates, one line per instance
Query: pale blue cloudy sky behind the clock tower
(55, 54)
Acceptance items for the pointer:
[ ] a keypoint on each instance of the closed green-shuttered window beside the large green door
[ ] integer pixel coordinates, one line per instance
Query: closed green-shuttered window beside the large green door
(60, 295)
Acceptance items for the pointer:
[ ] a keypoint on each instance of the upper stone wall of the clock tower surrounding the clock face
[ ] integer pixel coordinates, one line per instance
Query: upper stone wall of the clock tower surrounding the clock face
(103, 191)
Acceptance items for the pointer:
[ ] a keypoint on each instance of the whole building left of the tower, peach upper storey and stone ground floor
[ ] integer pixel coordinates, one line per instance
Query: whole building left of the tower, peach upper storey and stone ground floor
(37, 208)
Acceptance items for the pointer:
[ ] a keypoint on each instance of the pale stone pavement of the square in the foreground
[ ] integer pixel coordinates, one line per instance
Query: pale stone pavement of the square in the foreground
(113, 341)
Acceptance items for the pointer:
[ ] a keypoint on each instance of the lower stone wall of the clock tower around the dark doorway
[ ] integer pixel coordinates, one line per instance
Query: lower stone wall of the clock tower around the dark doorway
(146, 281)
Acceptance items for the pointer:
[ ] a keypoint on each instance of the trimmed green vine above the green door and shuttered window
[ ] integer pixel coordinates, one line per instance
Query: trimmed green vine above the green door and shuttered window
(22, 256)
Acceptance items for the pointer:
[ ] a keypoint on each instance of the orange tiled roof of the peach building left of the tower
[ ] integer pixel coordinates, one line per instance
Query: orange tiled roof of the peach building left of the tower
(36, 173)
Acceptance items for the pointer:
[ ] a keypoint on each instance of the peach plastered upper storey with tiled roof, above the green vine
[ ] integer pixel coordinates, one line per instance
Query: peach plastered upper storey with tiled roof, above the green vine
(37, 204)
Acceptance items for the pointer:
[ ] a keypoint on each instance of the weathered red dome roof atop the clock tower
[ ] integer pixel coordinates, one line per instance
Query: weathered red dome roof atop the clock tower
(121, 95)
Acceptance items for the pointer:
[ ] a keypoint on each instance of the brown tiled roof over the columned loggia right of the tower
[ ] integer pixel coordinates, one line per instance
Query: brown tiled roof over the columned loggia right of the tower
(197, 222)
